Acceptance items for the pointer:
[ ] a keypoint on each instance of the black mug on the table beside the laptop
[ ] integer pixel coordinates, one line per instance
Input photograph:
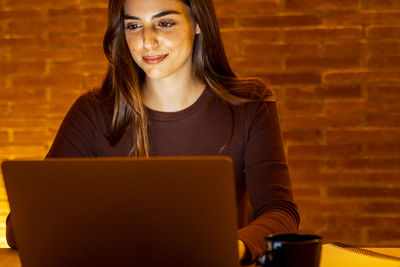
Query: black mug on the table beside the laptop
(292, 250)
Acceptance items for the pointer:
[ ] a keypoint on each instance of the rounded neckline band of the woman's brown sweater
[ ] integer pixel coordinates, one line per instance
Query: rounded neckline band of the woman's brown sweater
(177, 115)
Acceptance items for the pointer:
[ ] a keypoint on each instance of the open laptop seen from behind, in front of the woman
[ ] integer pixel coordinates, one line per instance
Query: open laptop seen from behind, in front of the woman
(161, 211)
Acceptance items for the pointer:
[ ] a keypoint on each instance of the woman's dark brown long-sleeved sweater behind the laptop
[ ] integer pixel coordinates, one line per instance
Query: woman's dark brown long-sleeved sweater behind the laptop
(261, 171)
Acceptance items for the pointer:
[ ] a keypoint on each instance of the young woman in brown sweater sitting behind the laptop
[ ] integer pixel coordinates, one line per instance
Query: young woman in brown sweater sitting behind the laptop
(169, 90)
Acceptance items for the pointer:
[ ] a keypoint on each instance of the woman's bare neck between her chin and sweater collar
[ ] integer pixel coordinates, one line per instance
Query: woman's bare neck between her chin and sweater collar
(171, 94)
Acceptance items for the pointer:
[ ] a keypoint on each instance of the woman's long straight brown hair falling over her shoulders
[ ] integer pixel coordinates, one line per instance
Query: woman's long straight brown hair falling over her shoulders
(125, 78)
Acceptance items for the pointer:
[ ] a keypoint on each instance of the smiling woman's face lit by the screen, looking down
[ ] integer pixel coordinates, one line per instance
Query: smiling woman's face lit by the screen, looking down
(160, 36)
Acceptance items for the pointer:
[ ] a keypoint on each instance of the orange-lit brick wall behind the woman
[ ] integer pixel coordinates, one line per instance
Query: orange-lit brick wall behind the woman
(333, 64)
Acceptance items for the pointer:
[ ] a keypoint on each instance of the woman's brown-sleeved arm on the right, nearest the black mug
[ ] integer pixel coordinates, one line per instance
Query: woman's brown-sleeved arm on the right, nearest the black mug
(267, 180)
